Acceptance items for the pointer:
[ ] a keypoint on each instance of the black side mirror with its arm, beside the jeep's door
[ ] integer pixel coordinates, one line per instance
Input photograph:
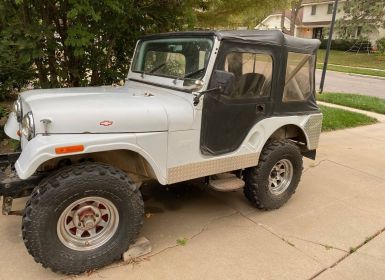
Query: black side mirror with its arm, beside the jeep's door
(221, 82)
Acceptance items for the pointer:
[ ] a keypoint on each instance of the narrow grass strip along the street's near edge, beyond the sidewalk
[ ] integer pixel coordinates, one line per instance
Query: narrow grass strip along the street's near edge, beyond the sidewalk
(367, 103)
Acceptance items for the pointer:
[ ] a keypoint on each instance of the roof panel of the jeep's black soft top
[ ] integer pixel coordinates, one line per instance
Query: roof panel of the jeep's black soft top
(263, 37)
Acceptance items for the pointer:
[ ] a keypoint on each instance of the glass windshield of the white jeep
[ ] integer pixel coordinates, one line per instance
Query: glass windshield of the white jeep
(177, 58)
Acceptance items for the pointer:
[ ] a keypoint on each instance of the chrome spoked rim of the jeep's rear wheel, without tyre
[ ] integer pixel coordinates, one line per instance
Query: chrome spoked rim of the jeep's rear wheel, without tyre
(280, 176)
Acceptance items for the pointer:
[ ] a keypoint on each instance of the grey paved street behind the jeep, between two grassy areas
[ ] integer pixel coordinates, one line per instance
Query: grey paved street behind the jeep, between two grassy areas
(350, 83)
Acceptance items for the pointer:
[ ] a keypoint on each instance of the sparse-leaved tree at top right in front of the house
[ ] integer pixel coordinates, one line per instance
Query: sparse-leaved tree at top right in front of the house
(361, 18)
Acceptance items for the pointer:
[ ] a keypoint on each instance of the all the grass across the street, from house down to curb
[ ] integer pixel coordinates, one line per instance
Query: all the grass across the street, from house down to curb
(345, 61)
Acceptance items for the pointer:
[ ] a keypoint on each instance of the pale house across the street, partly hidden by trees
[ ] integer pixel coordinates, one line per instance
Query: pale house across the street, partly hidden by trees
(314, 20)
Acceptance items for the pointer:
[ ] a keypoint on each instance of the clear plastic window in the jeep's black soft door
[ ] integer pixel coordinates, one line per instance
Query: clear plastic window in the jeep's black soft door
(253, 72)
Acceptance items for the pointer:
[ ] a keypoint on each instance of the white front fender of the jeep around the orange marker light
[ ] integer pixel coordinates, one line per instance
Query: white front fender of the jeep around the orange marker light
(42, 148)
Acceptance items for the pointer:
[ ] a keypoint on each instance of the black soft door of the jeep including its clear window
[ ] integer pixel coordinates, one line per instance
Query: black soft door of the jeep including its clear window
(226, 120)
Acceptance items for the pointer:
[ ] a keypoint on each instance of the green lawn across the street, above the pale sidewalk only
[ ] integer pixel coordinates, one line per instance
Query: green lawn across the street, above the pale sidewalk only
(352, 59)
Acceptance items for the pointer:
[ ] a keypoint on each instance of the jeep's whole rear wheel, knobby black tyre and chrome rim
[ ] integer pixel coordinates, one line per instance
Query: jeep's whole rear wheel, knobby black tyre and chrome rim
(271, 184)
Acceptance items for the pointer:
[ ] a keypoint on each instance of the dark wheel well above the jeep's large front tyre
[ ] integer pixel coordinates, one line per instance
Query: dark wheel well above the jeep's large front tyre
(128, 161)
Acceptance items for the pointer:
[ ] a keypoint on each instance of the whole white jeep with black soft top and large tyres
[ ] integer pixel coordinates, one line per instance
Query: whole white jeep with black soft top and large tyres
(236, 108)
